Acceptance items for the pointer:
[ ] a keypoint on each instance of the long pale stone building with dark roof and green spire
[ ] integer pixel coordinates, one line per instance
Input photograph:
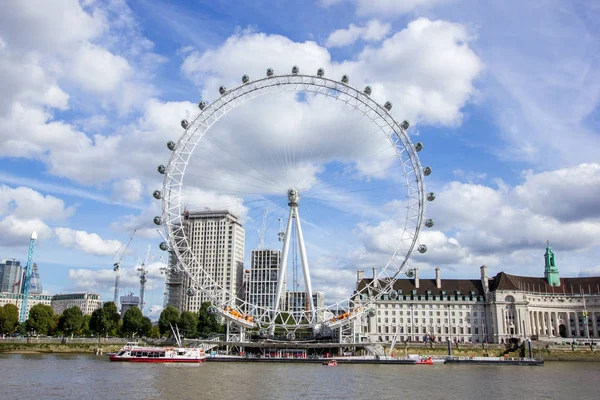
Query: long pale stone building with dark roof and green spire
(495, 309)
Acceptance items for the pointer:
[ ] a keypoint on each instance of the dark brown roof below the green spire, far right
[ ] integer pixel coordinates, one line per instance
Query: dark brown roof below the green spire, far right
(504, 281)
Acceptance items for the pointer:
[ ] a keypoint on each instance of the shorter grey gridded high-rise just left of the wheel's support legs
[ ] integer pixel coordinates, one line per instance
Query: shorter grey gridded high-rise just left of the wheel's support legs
(264, 271)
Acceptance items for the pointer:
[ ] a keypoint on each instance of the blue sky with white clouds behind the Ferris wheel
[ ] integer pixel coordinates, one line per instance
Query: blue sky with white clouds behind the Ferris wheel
(504, 95)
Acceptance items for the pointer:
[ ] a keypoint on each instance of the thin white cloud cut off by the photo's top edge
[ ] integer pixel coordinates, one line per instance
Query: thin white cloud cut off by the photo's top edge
(386, 8)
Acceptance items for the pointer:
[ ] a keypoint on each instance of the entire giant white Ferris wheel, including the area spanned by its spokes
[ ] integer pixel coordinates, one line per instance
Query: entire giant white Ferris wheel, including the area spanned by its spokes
(320, 158)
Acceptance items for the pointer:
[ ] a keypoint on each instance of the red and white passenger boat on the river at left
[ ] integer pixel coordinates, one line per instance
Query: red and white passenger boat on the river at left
(133, 352)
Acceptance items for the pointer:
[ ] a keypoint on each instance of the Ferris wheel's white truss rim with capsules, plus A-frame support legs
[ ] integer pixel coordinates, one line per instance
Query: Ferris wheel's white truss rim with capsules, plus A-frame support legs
(340, 314)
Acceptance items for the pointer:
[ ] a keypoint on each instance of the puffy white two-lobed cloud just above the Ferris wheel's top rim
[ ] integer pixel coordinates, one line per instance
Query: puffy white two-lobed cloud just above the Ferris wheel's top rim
(432, 79)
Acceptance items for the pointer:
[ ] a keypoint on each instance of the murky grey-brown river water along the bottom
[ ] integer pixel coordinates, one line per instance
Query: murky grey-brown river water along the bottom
(49, 376)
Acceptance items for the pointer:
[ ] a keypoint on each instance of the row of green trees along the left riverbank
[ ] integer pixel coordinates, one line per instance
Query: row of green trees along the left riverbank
(106, 321)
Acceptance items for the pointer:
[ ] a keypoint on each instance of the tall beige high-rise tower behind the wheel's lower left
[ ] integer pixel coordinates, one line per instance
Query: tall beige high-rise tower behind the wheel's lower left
(217, 240)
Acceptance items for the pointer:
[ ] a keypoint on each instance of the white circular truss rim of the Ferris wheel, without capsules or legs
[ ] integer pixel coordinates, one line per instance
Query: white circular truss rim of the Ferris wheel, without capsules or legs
(229, 100)
